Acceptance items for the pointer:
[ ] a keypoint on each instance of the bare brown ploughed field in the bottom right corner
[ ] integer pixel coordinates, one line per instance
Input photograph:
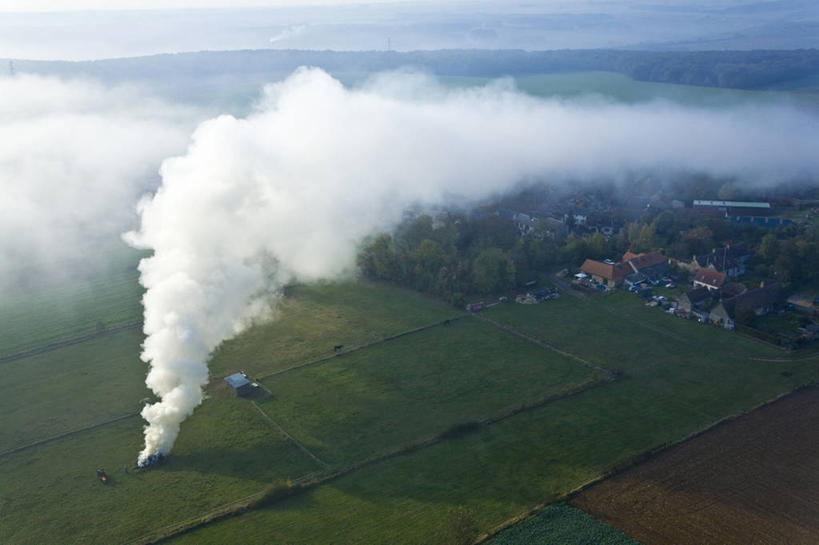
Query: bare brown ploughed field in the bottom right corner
(751, 480)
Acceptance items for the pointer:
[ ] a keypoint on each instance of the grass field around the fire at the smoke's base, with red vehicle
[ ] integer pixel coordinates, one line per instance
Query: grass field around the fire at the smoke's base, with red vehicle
(50, 494)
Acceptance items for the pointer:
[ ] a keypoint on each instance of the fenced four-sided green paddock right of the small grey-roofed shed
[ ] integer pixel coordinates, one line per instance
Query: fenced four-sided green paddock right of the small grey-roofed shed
(358, 405)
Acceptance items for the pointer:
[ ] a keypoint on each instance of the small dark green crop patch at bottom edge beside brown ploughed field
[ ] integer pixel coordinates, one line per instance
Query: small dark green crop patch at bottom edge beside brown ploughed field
(562, 524)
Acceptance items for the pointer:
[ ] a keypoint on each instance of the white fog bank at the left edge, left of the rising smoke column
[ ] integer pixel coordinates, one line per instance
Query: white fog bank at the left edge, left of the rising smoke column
(74, 157)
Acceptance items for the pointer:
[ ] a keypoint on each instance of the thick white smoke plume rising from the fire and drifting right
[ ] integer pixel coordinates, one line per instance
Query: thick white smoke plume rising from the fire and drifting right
(289, 191)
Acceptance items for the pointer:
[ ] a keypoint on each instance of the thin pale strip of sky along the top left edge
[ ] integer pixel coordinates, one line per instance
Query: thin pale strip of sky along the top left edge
(79, 5)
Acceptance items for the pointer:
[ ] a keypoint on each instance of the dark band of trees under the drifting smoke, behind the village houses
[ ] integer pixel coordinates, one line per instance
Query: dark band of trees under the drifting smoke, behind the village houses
(461, 255)
